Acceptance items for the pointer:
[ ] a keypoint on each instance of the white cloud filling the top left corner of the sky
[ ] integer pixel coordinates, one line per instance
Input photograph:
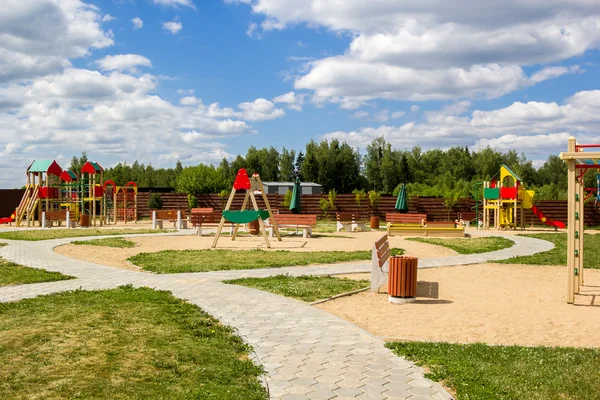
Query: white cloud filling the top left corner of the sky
(38, 37)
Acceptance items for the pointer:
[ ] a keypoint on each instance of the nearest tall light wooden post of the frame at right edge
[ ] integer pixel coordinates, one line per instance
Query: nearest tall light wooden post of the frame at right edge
(571, 228)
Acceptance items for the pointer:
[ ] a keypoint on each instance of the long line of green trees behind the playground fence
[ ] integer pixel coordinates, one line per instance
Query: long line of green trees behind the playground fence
(337, 166)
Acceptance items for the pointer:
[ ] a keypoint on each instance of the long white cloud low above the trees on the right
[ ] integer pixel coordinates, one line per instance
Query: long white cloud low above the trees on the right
(537, 128)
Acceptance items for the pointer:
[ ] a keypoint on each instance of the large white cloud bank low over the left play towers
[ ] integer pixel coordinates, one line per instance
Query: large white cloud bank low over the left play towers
(110, 114)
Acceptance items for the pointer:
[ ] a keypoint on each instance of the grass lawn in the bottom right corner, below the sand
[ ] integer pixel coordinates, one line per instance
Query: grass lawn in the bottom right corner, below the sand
(479, 371)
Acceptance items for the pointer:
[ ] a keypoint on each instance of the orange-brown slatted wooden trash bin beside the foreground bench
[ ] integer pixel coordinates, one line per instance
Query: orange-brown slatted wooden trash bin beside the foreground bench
(402, 279)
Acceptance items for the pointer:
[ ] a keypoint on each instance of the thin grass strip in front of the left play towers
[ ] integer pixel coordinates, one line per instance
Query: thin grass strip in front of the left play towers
(47, 234)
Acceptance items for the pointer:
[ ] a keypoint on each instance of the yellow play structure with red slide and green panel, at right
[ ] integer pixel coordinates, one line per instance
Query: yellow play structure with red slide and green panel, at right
(506, 199)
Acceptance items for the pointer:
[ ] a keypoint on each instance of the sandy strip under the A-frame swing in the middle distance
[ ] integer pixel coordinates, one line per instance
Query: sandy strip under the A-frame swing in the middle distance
(352, 241)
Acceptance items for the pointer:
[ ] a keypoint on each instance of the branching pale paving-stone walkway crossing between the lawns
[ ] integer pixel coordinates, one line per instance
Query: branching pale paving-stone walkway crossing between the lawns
(307, 353)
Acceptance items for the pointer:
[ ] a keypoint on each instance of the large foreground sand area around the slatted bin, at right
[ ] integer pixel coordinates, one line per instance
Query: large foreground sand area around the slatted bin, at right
(491, 303)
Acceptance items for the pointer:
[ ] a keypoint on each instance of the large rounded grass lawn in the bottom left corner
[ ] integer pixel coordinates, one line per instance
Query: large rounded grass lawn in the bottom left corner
(120, 344)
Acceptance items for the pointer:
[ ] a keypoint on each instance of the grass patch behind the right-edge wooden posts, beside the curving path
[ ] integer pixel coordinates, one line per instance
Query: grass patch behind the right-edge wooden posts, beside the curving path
(558, 255)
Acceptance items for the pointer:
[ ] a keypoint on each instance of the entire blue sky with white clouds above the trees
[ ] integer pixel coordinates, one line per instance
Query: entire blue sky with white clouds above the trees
(164, 80)
